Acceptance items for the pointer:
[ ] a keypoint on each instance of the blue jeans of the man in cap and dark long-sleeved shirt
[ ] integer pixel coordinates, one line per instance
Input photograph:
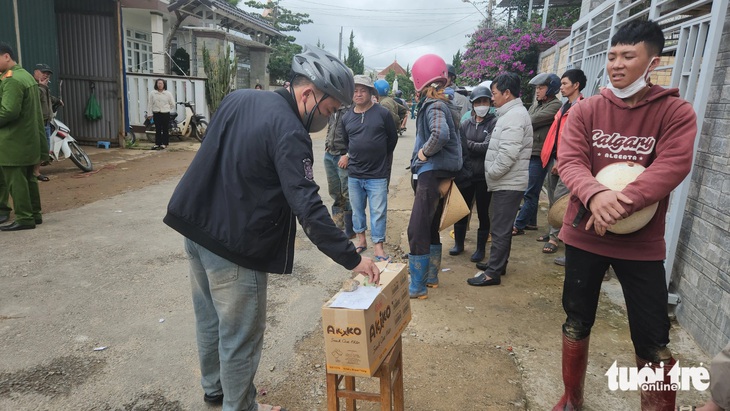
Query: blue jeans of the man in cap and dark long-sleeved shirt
(375, 192)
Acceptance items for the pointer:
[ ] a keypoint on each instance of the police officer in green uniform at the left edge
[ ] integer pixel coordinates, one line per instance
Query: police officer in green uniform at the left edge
(22, 140)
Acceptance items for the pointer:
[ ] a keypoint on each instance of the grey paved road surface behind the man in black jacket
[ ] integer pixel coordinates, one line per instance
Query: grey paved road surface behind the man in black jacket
(111, 274)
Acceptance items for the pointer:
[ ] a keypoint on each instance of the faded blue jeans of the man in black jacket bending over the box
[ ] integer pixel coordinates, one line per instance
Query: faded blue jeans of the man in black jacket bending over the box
(230, 318)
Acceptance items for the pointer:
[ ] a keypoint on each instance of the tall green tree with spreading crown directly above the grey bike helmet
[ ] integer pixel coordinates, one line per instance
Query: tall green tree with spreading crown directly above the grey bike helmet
(284, 20)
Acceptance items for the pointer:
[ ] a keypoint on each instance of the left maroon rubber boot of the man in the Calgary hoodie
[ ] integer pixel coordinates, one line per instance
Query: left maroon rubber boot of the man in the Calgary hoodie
(575, 363)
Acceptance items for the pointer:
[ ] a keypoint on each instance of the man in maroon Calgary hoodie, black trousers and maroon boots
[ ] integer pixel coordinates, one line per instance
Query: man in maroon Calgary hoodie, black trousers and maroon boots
(648, 125)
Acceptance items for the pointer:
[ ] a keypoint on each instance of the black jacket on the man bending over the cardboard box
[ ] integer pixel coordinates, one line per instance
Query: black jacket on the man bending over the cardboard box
(250, 178)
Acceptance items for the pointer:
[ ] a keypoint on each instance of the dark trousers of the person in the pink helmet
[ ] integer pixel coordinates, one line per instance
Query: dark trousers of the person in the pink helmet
(423, 227)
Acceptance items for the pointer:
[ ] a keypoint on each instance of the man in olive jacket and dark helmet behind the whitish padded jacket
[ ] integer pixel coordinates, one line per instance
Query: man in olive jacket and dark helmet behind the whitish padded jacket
(547, 85)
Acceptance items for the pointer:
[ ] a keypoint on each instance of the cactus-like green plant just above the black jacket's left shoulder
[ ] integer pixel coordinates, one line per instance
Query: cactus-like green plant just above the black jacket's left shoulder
(221, 72)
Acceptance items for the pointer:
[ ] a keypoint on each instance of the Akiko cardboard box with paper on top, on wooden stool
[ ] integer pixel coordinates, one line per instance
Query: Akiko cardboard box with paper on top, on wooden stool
(357, 340)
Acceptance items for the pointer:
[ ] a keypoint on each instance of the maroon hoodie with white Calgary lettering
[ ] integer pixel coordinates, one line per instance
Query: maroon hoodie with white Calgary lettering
(658, 133)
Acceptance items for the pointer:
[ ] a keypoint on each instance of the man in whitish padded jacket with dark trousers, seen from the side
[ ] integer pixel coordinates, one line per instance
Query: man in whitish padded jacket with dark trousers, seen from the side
(506, 167)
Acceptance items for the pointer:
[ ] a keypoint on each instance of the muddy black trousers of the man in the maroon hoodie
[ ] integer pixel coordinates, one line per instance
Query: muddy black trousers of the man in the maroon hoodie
(645, 292)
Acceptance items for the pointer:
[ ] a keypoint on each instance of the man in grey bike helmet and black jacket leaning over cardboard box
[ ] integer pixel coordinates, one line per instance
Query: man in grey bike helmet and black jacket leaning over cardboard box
(236, 206)
